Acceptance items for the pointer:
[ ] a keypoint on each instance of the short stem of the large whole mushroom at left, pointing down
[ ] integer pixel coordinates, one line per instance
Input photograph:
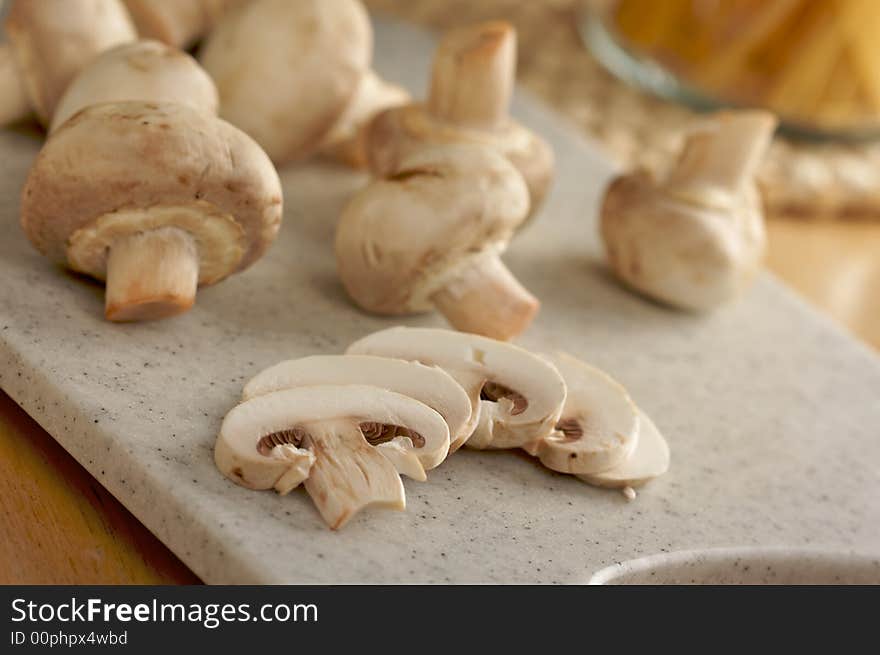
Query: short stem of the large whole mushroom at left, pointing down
(151, 275)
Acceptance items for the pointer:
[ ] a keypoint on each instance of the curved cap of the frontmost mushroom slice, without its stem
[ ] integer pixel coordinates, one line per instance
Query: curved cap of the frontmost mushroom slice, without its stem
(237, 451)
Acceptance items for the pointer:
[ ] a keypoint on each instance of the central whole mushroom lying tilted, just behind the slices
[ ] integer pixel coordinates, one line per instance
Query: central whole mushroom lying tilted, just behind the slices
(431, 236)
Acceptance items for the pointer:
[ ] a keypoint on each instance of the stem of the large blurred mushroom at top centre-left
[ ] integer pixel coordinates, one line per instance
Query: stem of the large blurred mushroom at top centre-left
(346, 141)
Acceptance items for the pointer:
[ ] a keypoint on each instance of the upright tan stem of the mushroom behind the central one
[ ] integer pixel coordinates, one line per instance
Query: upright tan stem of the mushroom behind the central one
(473, 75)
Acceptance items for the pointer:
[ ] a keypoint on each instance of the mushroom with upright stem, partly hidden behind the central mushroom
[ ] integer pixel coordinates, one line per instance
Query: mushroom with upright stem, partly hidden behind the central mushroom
(472, 81)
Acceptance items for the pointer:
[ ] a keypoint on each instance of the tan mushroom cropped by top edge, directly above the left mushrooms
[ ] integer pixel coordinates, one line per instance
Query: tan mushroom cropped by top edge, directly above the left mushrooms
(178, 23)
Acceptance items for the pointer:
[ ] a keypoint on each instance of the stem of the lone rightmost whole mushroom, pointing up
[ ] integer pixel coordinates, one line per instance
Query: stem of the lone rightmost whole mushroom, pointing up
(723, 157)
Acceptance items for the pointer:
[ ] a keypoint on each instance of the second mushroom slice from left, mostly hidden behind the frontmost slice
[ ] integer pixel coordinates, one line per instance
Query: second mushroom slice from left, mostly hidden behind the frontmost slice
(431, 386)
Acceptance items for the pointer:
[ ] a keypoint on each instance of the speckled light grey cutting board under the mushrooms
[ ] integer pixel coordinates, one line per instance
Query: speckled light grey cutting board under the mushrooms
(772, 414)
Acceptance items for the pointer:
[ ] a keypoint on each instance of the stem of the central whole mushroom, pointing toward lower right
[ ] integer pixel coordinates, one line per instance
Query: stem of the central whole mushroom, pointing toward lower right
(484, 298)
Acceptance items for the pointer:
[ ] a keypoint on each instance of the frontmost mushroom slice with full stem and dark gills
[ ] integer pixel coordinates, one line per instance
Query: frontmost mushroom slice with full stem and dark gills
(260, 442)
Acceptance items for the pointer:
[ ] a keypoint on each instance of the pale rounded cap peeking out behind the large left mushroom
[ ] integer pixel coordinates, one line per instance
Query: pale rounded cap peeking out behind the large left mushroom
(144, 70)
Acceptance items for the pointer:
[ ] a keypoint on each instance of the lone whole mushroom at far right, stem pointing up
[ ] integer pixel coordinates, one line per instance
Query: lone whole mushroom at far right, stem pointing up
(695, 239)
